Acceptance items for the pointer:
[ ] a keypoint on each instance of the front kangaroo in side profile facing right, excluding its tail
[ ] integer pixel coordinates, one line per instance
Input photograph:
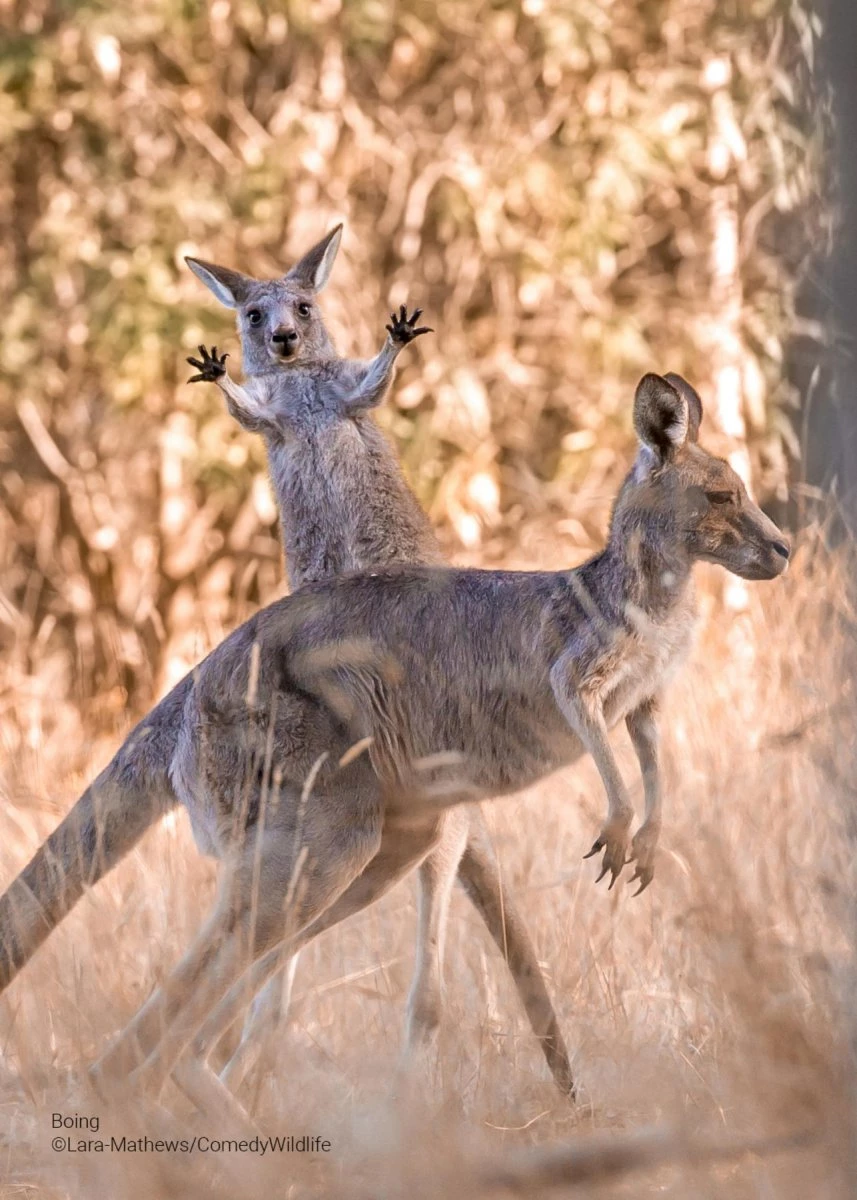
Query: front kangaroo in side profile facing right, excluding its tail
(320, 741)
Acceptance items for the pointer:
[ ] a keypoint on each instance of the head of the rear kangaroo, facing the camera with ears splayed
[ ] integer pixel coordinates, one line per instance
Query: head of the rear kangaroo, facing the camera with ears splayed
(279, 321)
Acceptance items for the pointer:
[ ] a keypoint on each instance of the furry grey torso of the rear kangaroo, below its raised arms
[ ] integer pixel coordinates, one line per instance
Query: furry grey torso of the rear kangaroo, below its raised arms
(345, 505)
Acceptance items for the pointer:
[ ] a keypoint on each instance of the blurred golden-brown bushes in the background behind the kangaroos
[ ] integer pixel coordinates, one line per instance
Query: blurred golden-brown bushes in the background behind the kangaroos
(577, 191)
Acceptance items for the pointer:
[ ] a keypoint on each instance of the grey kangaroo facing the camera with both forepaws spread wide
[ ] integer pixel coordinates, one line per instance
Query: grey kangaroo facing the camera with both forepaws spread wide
(345, 506)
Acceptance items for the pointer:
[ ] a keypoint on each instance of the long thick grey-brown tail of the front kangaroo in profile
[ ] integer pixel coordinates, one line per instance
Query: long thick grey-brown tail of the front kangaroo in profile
(130, 795)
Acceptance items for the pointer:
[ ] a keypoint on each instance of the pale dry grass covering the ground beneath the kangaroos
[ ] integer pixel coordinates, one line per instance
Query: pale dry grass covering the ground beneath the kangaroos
(716, 1007)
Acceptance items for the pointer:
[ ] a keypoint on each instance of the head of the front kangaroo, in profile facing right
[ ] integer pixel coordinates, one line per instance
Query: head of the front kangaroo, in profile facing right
(685, 500)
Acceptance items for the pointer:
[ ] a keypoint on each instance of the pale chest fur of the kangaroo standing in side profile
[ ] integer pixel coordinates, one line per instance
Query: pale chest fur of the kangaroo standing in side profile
(642, 662)
